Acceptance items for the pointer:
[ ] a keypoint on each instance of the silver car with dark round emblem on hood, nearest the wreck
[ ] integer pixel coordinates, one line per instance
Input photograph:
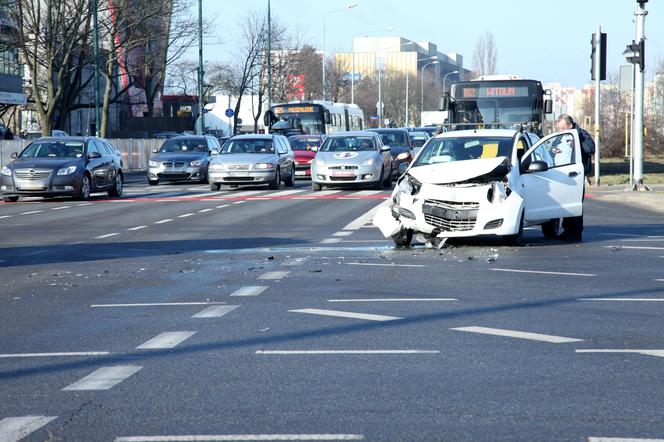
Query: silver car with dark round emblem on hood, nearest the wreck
(352, 158)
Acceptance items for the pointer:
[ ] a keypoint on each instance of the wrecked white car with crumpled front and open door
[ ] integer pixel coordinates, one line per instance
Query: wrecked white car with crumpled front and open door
(486, 182)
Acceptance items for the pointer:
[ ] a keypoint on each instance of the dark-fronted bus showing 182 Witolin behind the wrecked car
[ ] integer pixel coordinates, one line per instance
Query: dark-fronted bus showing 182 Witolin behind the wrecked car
(505, 102)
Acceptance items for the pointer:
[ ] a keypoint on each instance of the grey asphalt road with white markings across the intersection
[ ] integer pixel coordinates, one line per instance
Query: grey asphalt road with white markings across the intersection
(179, 314)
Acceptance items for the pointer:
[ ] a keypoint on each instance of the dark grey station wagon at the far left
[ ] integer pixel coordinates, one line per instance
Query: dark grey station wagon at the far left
(63, 166)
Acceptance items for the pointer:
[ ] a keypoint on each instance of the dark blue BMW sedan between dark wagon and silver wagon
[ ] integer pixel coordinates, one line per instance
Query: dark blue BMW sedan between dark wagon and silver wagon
(182, 158)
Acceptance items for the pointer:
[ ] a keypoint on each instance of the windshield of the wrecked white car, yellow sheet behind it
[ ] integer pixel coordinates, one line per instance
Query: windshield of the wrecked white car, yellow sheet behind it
(450, 149)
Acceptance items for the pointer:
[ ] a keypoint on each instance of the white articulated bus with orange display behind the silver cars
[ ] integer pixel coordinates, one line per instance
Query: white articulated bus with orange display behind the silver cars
(313, 117)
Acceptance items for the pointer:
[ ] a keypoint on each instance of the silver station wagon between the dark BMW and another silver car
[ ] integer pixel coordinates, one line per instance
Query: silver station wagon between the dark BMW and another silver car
(253, 159)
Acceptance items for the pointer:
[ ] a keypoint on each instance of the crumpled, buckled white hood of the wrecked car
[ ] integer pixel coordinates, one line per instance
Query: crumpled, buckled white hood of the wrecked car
(479, 170)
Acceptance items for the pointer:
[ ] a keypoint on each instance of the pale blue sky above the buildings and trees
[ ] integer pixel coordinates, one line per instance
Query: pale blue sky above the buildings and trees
(547, 41)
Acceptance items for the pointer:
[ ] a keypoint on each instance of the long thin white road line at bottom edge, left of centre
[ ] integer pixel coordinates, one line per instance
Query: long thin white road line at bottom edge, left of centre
(241, 437)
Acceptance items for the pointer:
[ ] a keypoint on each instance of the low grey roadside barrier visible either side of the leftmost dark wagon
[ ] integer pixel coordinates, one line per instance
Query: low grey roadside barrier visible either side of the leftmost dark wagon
(135, 151)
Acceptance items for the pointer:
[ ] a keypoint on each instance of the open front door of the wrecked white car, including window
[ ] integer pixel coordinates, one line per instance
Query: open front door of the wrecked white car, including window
(558, 191)
